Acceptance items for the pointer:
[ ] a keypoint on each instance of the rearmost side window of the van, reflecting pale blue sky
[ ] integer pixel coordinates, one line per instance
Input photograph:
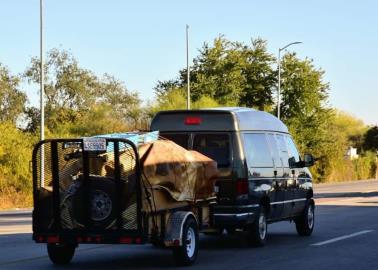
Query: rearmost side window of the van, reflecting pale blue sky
(257, 150)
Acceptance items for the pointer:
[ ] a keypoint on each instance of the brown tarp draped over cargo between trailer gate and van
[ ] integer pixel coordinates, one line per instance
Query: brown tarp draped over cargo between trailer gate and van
(185, 175)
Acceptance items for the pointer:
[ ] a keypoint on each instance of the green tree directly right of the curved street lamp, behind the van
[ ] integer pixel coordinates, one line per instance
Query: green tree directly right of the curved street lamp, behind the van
(305, 110)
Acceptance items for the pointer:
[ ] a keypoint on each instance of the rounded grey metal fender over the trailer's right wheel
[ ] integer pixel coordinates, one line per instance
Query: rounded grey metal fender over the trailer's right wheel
(175, 225)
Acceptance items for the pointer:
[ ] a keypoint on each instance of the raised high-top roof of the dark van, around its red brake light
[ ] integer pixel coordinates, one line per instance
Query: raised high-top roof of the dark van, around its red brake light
(237, 118)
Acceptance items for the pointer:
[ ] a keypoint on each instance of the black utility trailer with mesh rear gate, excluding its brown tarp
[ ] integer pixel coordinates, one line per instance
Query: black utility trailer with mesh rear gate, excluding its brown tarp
(108, 201)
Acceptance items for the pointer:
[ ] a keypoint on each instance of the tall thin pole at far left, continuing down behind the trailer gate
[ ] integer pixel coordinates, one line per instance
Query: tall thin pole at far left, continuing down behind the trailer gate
(42, 109)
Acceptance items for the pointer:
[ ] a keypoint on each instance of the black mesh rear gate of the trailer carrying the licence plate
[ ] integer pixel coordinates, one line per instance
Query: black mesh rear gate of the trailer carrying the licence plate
(88, 192)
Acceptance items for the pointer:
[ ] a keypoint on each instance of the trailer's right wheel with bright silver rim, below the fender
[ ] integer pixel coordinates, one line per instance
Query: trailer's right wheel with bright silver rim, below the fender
(187, 253)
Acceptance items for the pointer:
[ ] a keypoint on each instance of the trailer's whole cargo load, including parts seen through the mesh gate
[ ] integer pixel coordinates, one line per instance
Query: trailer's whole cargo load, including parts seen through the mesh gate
(171, 177)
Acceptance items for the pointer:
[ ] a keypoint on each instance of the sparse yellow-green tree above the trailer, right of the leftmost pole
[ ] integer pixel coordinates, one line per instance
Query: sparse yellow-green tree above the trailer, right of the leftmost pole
(74, 93)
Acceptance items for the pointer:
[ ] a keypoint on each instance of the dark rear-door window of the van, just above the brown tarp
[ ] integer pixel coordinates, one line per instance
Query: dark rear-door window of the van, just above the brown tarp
(214, 146)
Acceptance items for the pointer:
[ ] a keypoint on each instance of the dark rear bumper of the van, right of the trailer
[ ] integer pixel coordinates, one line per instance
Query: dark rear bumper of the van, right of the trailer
(234, 216)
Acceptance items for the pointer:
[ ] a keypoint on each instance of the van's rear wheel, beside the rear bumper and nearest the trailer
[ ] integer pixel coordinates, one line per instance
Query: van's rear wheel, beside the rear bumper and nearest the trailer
(258, 230)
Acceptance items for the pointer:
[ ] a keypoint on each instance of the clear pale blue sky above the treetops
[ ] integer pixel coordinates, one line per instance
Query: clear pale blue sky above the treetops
(141, 42)
